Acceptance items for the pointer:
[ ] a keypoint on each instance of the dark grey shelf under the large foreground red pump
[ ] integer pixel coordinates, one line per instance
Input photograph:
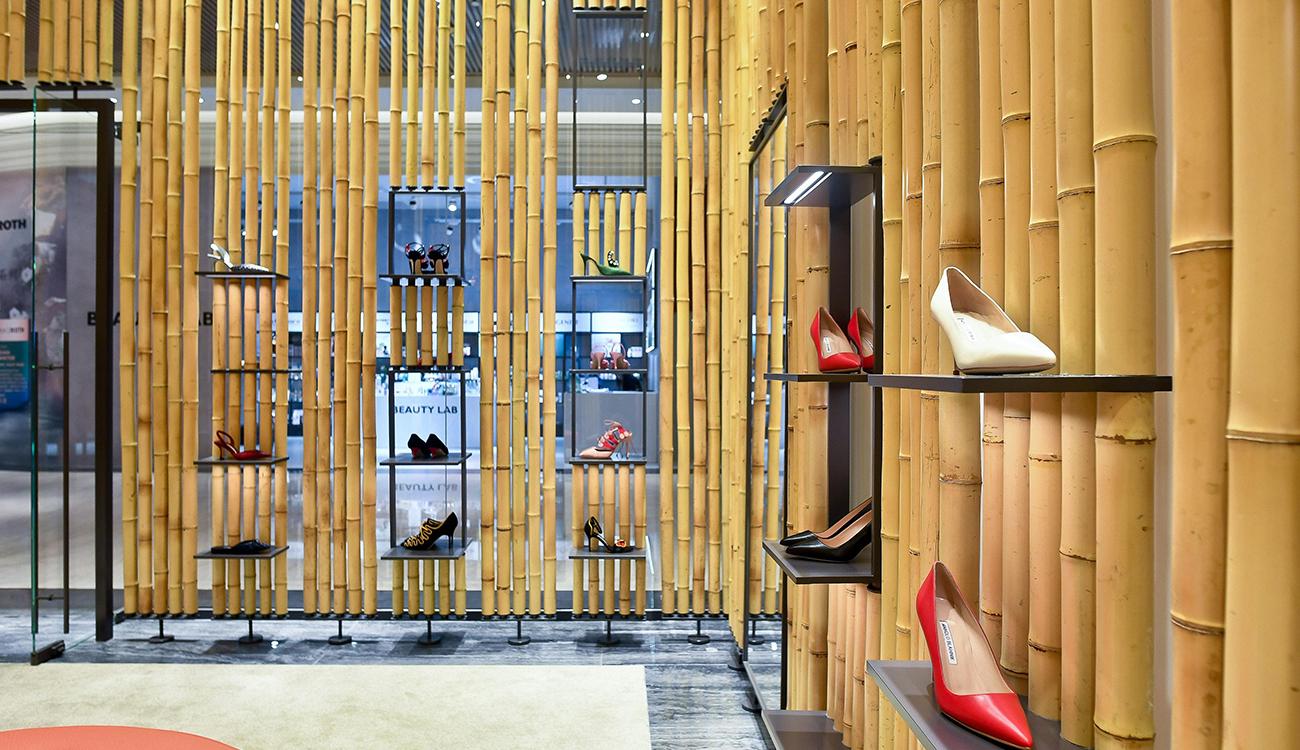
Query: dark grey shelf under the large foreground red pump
(909, 687)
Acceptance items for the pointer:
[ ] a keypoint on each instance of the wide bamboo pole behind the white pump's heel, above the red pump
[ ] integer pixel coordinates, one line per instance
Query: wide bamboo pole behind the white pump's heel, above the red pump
(959, 246)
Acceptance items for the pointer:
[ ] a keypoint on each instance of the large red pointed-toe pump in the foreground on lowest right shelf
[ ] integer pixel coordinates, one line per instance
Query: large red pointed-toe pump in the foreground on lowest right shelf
(969, 684)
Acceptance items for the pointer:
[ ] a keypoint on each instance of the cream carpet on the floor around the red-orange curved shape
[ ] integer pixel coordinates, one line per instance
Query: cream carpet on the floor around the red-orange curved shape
(343, 706)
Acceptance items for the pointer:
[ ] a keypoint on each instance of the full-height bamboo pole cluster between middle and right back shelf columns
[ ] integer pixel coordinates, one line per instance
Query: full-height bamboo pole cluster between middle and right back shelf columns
(517, 332)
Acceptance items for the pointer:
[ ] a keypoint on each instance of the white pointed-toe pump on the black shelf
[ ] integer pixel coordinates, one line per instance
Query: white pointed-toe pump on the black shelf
(983, 339)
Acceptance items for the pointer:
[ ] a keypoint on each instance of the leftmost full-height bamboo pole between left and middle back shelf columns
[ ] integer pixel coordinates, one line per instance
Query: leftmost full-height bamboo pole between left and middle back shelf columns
(311, 294)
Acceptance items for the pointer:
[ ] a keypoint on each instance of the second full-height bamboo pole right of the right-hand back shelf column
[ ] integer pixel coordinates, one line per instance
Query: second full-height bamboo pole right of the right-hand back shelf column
(682, 317)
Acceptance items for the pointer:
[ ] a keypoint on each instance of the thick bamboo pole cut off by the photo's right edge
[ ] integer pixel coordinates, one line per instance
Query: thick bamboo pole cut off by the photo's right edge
(1260, 696)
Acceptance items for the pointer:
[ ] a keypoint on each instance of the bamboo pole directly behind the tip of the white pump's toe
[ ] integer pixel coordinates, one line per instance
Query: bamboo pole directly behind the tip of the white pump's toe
(1046, 409)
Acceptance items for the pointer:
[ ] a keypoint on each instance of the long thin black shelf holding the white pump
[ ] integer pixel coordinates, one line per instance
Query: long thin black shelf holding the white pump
(1028, 384)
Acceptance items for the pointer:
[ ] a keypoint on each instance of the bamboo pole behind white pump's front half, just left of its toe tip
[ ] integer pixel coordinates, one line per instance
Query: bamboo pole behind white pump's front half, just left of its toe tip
(1015, 37)
